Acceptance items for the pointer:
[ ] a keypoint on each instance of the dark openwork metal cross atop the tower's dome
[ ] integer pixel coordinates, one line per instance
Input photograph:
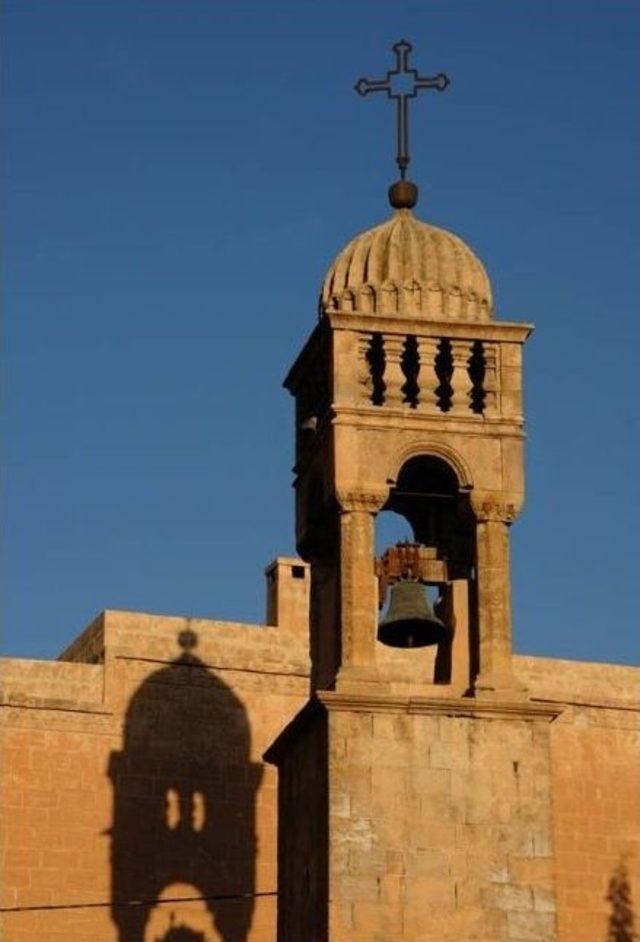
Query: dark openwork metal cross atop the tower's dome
(401, 84)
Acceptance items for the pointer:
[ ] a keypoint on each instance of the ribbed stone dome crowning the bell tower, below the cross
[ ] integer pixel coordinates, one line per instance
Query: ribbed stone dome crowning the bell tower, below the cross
(407, 267)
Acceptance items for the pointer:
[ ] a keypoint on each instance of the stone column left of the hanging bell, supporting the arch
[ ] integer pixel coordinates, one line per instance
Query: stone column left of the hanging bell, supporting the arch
(358, 586)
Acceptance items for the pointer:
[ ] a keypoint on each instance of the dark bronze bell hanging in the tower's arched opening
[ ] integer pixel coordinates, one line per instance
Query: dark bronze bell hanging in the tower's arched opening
(410, 621)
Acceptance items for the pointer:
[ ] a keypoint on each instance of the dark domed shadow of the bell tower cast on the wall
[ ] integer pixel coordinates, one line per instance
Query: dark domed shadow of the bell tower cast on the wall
(184, 793)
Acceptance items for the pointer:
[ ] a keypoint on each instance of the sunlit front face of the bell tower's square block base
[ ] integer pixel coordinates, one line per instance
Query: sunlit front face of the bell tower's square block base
(441, 826)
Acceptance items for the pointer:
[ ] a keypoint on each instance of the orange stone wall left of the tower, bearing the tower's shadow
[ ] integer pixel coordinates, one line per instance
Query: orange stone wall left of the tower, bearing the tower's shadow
(141, 779)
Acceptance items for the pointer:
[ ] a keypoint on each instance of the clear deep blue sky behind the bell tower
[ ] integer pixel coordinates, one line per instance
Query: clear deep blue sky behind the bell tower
(179, 175)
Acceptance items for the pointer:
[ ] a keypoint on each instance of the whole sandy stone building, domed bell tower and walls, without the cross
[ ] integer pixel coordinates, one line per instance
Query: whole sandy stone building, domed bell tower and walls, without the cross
(172, 779)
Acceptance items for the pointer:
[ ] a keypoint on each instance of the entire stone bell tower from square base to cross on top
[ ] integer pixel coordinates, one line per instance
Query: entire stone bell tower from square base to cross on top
(414, 787)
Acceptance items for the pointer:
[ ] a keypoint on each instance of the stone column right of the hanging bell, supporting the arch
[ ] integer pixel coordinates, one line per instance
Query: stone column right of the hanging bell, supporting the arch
(493, 576)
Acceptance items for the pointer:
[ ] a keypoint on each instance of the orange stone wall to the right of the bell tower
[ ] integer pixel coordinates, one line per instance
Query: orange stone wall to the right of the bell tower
(595, 755)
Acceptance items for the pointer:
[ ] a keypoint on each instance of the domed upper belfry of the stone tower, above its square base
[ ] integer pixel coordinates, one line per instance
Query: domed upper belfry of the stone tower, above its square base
(408, 398)
